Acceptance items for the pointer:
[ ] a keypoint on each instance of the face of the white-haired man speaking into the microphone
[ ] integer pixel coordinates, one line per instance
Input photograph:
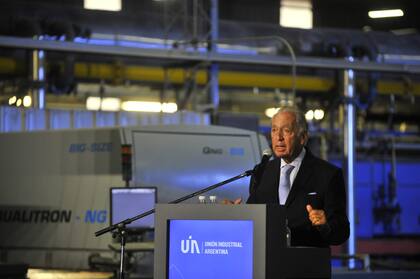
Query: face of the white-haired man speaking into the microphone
(285, 140)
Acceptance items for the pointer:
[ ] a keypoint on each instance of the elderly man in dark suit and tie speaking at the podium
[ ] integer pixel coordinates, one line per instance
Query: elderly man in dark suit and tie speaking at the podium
(296, 175)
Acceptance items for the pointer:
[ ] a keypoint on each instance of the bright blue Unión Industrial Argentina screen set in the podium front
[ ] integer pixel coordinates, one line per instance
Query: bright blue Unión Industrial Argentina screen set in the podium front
(210, 249)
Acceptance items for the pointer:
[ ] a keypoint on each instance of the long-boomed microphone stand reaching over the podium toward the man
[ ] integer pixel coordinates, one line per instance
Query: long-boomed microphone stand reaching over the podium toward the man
(120, 227)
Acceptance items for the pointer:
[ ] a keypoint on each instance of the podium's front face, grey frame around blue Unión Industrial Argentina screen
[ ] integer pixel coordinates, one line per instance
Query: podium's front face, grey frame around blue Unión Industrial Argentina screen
(195, 241)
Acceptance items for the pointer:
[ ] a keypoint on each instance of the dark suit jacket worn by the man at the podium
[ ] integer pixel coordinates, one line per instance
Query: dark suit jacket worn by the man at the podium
(315, 175)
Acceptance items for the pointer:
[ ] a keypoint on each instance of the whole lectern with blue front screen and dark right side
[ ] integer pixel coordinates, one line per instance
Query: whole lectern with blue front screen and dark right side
(230, 241)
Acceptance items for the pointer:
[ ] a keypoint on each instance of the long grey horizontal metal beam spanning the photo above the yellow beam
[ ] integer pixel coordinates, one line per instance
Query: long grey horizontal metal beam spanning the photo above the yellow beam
(177, 54)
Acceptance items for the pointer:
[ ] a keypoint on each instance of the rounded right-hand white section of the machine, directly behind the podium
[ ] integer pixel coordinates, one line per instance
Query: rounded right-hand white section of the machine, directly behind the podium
(188, 159)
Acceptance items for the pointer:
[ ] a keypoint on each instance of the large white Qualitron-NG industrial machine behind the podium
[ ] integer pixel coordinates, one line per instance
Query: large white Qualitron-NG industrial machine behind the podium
(55, 184)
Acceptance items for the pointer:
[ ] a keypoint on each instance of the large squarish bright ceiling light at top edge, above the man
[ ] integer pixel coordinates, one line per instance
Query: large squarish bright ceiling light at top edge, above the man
(296, 13)
